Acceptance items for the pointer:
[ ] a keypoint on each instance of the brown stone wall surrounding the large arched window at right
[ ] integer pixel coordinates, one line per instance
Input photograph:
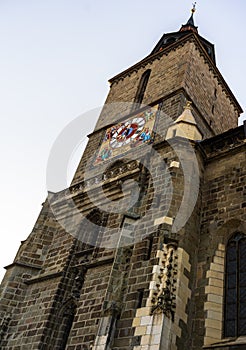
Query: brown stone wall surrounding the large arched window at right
(223, 213)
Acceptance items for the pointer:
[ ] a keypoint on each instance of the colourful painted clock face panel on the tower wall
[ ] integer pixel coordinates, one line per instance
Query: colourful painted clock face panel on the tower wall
(130, 133)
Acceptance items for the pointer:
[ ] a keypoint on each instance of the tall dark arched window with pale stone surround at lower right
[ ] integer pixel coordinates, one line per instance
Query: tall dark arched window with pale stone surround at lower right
(235, 287)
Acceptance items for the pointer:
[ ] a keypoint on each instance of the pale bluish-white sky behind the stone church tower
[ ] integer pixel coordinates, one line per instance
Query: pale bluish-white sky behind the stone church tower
(56, 57)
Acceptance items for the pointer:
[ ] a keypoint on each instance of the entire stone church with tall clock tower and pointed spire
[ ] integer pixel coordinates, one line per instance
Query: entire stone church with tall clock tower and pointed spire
(145, 250)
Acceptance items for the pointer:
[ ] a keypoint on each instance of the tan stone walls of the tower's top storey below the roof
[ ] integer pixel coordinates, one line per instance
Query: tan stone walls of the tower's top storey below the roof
(184, 67)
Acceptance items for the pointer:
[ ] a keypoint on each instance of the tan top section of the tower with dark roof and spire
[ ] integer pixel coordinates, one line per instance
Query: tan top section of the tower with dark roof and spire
(182, 64)
